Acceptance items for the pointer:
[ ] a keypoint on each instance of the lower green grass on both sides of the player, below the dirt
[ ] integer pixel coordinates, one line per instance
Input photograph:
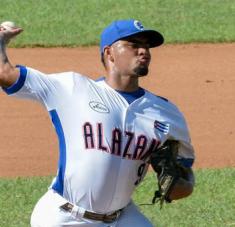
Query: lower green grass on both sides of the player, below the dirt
(212, 203)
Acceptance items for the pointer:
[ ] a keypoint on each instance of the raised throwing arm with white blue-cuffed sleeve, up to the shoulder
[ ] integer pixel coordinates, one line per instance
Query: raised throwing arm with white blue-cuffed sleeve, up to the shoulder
(28, 83)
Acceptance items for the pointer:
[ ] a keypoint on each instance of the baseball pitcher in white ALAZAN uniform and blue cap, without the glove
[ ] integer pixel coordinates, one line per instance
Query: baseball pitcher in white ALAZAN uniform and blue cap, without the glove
(106, 129)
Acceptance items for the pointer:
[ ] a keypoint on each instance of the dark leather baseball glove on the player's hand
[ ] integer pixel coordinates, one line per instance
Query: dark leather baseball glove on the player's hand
(164, 162)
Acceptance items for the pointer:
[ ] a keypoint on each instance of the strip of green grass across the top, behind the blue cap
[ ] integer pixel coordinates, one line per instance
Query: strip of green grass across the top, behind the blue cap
(80, 22)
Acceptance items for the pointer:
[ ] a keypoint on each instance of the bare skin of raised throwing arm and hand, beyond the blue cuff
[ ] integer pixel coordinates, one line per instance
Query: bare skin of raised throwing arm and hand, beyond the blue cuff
(8, 73)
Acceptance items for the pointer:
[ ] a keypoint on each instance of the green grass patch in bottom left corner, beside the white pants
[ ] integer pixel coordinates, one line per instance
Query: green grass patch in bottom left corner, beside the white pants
(17, 199)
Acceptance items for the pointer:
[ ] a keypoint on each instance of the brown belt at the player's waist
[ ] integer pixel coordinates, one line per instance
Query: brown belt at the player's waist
(107, 218)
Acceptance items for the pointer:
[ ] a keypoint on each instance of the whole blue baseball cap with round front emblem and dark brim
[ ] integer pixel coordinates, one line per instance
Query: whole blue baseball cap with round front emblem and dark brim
(124, 28)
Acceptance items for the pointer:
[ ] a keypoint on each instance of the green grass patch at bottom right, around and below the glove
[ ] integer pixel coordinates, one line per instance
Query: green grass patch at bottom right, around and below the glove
(211, 205)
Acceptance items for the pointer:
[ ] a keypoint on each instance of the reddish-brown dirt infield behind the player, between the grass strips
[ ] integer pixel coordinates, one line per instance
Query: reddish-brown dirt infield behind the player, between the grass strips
(200, 79)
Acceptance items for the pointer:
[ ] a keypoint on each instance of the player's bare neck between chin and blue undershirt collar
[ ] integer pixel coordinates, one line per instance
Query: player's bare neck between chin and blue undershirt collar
(123, 83)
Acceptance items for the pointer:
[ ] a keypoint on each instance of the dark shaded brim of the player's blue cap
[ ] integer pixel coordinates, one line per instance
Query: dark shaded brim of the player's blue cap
(154, 38)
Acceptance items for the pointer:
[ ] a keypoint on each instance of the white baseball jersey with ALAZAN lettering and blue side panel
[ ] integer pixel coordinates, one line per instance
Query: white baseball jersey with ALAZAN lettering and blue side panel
(103, 139)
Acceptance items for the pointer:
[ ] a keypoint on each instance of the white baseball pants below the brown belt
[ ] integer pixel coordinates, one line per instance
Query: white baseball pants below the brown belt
(48, 214)
